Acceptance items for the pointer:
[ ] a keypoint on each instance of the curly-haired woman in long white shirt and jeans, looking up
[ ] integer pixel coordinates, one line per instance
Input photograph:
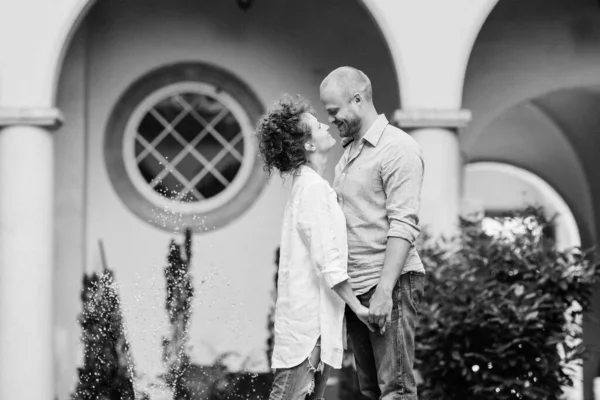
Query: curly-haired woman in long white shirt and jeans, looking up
(313, 256)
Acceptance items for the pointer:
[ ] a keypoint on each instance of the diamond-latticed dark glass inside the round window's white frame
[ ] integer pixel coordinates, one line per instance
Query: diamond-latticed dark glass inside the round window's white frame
(189, 147)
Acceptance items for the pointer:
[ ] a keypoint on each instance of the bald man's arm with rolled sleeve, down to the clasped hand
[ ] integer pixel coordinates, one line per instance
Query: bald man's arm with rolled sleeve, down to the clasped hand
(402, 175)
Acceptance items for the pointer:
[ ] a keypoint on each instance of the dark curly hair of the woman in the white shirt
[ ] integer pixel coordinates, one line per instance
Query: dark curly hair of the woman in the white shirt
(281, 134)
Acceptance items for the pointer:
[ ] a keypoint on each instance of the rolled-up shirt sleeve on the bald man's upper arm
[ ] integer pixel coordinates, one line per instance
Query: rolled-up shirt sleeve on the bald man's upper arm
(402, 175)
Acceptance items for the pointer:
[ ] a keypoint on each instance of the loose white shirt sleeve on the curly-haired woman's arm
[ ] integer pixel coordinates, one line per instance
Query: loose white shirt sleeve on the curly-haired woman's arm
(315, 223)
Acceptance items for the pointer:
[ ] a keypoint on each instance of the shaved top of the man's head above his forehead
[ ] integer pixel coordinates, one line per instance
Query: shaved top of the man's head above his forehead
(348, 81)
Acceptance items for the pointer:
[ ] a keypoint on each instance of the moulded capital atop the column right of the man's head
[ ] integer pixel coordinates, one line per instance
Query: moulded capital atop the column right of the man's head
(431, 118)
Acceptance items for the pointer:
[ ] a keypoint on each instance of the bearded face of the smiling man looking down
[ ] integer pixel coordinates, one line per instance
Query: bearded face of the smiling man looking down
(342, 111)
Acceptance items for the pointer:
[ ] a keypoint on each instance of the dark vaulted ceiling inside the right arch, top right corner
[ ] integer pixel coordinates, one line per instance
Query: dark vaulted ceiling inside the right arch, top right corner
(525, 50)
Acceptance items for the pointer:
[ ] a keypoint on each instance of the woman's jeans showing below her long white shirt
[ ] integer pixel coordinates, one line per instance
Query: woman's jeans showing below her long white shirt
(305, 381)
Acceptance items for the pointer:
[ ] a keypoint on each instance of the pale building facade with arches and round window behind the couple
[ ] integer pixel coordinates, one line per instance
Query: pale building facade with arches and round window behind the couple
(124, 121)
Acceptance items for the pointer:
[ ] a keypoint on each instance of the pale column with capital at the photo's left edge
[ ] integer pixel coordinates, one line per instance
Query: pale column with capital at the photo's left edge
(26, 245)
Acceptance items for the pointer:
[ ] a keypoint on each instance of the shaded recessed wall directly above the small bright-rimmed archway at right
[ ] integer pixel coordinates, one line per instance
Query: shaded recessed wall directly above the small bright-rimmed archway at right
(560, 125)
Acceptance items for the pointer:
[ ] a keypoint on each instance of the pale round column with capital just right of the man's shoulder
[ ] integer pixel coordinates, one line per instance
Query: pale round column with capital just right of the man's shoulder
(437, 133)
